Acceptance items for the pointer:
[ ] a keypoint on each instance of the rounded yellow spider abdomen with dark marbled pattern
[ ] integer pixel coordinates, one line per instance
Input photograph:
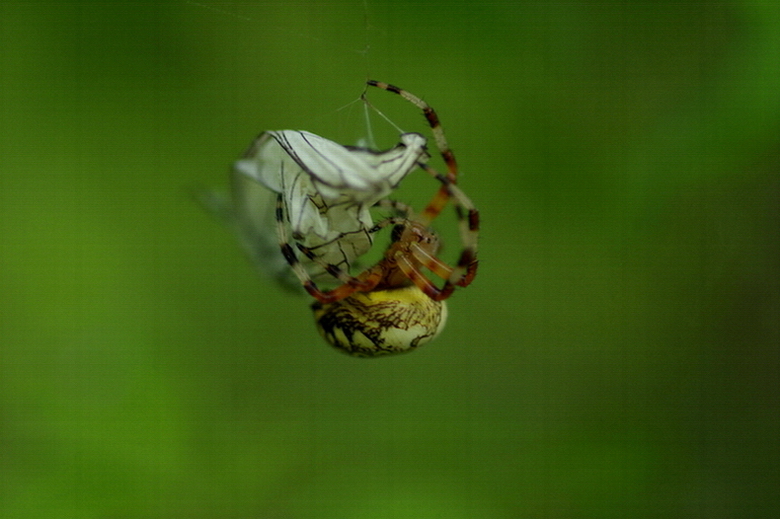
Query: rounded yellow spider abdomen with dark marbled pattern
(381, 322)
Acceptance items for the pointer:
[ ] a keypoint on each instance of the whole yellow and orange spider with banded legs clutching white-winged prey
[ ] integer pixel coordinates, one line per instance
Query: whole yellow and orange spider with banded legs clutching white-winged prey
(392, 307)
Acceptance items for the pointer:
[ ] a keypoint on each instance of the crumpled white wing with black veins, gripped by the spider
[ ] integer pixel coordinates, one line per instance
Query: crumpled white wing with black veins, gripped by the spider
(327, 188)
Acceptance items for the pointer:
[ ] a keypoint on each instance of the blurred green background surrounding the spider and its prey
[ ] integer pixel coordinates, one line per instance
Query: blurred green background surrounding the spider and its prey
(617, 355)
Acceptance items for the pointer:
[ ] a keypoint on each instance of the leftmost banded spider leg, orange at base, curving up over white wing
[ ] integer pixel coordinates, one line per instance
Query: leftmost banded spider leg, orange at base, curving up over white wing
(365, 282)
